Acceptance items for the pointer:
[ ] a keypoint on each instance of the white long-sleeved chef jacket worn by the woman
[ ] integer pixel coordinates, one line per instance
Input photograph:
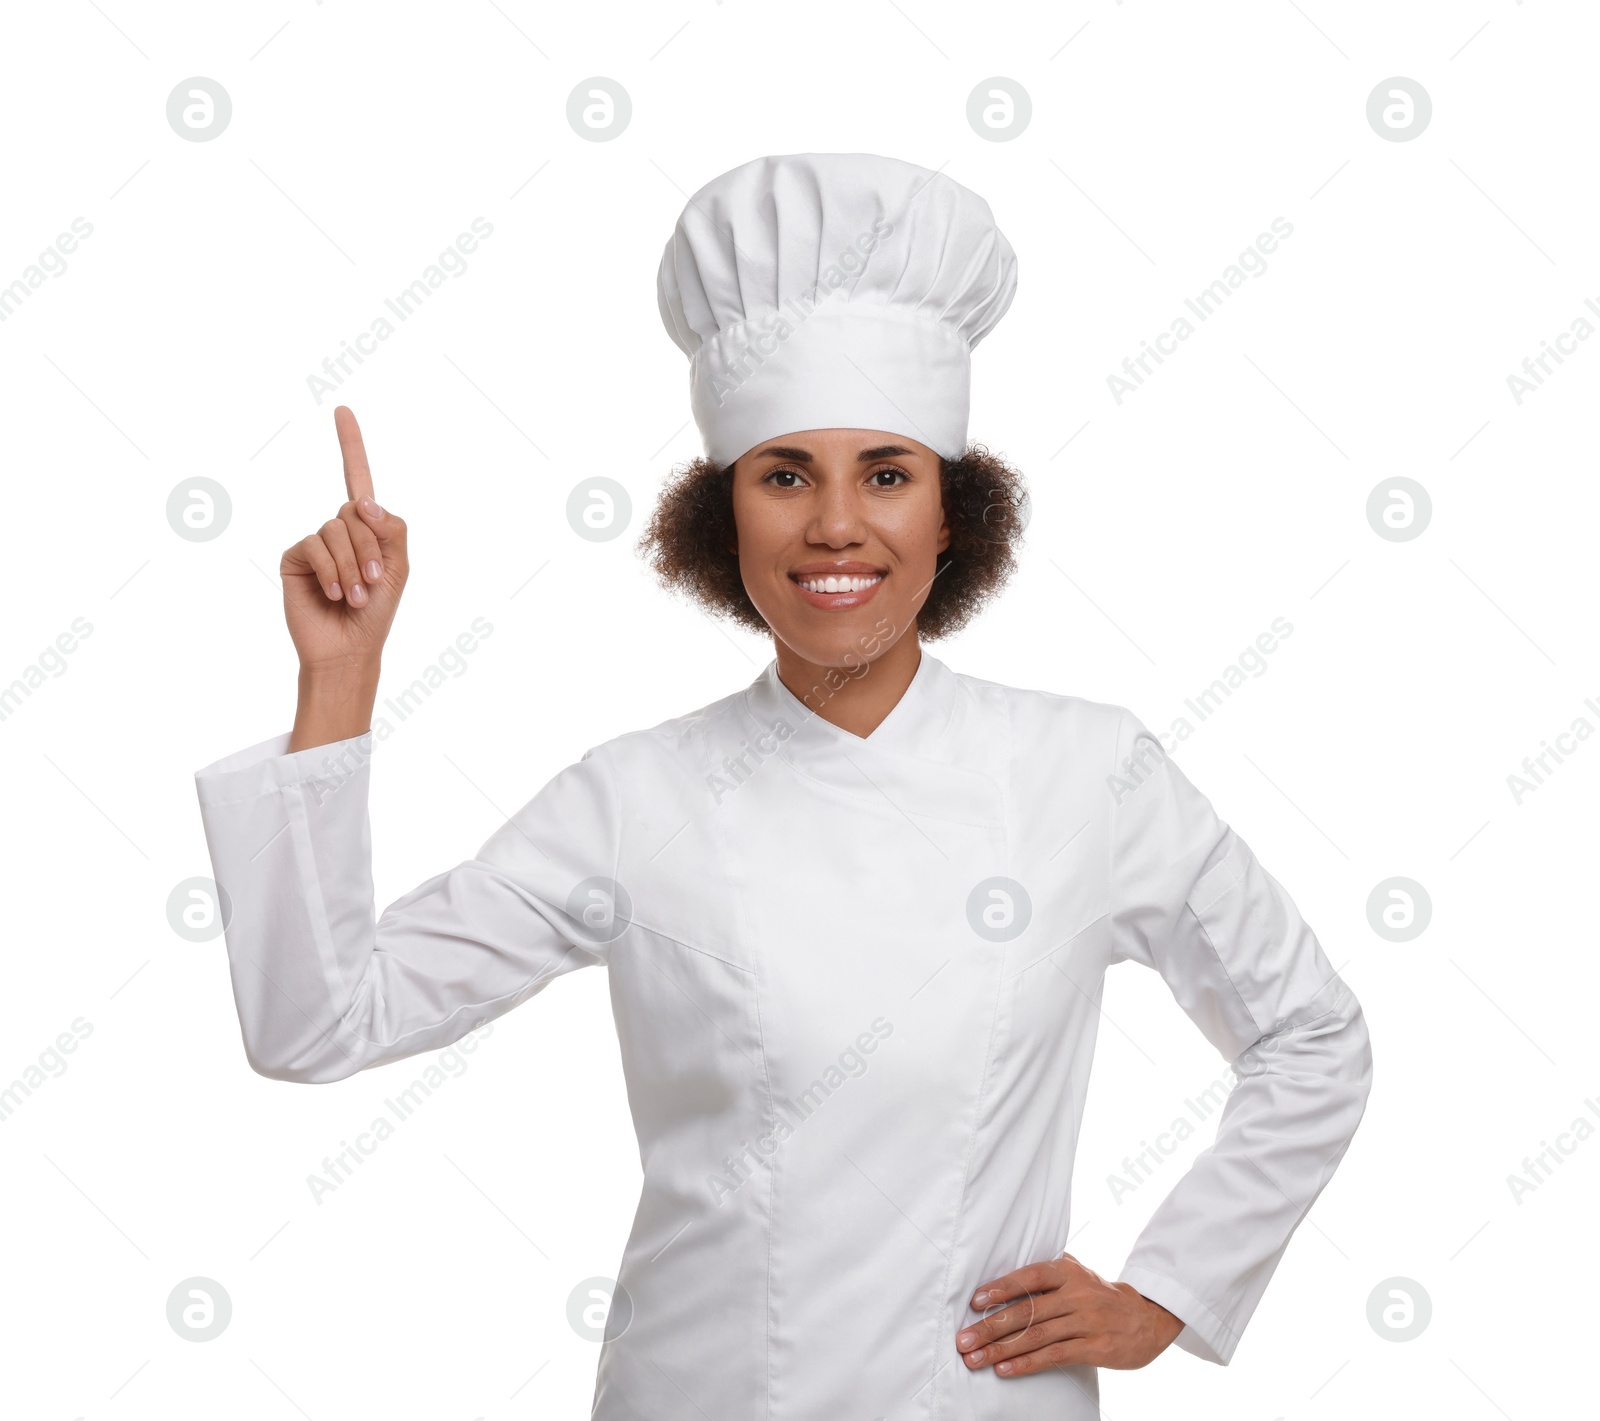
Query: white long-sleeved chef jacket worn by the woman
(857, 1067)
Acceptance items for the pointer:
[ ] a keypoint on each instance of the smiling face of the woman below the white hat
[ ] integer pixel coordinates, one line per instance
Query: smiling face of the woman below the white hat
(838, 538)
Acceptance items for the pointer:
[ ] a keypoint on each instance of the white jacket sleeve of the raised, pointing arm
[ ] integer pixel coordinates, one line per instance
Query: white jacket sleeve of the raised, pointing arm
(322, 988)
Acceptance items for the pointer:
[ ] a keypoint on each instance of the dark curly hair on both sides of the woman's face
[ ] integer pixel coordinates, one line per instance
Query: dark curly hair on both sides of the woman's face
(985, 503)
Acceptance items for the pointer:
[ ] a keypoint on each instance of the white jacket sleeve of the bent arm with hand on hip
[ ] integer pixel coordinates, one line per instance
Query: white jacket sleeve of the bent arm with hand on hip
(1191, 900)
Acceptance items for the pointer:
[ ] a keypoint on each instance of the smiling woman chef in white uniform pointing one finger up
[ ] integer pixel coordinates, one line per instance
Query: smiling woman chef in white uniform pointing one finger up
(857, 915)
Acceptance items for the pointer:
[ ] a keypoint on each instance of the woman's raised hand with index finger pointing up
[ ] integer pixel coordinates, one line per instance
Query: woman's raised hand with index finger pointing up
(342, 585)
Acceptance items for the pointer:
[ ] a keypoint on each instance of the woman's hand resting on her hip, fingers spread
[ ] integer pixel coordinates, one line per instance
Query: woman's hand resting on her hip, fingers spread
(1063, 1315)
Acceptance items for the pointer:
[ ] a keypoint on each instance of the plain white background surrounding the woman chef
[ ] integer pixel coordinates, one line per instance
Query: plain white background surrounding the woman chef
(1169, 532)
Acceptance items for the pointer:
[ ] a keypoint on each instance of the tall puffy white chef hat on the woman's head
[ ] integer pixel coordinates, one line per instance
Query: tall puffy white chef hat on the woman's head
(833, 292)
